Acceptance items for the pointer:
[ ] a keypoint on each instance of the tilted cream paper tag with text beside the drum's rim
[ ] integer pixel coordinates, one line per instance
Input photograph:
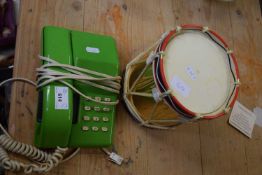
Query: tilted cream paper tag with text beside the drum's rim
(242, 119)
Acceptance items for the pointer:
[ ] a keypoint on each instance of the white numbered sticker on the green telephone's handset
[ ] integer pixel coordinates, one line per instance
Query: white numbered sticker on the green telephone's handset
(61, 97)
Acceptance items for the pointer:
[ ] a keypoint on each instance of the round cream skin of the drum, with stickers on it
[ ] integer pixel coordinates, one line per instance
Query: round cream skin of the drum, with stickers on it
(197, 71)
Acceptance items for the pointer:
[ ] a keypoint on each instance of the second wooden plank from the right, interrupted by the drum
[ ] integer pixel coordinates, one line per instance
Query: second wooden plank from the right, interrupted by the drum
(222, 145)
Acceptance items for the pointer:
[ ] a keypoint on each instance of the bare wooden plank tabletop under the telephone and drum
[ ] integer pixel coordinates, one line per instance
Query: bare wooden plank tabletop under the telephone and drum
(206, 147)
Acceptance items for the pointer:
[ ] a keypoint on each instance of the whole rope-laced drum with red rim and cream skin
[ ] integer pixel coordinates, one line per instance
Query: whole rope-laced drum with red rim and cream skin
(190, 70)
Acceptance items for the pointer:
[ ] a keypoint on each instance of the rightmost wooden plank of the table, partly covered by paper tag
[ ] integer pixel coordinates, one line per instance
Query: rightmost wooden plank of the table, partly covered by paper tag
(247, 37)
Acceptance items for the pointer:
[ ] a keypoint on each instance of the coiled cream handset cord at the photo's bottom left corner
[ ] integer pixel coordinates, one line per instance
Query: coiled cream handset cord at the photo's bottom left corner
(44, 162)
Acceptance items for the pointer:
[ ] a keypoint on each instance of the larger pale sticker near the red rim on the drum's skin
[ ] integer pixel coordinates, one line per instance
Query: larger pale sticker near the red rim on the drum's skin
(180, 86)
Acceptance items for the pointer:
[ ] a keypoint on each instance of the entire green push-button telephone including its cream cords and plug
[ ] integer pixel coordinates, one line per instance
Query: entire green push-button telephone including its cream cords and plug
(78, 85)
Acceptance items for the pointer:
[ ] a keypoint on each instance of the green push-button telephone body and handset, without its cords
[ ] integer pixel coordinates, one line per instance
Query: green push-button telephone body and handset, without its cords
(66, 119)
